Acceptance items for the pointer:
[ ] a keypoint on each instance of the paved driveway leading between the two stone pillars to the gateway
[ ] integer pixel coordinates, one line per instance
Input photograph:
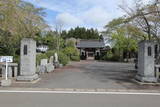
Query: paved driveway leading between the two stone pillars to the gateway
(90, 75)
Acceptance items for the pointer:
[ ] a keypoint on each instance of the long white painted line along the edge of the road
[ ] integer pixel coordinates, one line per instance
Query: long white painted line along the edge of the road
(80, 92)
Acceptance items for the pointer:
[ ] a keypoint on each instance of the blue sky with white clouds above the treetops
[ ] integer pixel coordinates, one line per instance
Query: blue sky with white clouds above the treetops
(85, 13)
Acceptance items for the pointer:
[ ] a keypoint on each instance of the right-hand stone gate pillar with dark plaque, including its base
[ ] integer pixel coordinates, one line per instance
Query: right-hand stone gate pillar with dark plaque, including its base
(146, 65)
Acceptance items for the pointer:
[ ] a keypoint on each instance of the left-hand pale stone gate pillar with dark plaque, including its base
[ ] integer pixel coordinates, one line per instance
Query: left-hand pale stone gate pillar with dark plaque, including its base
(28, 60)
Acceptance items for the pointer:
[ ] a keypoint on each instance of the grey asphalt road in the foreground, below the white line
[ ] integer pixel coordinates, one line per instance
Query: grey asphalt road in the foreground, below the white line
(77, 100)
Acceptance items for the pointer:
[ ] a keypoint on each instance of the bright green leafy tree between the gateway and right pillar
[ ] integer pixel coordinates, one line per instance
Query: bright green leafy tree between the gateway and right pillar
(123, 42)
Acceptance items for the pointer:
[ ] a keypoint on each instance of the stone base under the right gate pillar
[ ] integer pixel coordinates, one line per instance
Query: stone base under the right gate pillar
(146, 79)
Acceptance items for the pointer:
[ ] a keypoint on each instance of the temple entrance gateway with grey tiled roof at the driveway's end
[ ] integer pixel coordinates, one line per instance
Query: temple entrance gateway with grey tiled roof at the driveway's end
(91, 48)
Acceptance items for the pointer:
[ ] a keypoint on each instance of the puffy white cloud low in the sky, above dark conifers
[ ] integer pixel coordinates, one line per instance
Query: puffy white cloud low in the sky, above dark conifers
(68, 19)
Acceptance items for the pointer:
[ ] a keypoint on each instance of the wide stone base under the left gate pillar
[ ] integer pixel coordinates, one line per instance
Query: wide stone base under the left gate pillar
(27, 78)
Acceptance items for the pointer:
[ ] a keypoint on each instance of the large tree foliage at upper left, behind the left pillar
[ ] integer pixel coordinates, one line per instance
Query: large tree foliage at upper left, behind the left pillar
(18, 19)
